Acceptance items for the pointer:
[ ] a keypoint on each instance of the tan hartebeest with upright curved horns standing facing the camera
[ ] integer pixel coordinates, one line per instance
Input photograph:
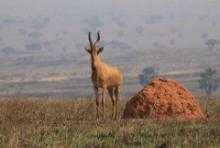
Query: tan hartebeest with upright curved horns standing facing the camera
(104, 76)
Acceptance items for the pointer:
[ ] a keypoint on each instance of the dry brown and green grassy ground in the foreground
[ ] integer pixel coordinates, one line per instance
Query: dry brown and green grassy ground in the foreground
(31, 122)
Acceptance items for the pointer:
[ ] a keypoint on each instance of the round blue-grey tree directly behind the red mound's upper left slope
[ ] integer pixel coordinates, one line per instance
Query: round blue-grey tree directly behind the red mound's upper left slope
(147, 75)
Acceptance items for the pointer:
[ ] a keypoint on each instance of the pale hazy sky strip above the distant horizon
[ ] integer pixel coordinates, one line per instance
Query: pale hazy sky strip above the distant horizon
(131, 7)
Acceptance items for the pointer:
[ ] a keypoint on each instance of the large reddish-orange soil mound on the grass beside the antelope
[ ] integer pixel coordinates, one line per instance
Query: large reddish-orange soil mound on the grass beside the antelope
(162, 99)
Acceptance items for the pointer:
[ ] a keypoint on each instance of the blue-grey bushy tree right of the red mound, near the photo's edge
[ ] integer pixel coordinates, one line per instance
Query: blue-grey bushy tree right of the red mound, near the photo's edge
(209, 81)
